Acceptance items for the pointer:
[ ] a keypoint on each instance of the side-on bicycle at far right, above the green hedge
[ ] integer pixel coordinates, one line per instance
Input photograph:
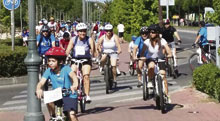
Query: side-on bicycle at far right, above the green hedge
(195, 60)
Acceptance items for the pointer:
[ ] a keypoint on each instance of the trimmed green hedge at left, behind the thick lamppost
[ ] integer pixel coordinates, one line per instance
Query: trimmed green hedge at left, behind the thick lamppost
(12, 62)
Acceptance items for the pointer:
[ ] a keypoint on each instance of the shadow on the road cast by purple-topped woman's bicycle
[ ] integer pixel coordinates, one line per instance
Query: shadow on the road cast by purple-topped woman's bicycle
(96, 110)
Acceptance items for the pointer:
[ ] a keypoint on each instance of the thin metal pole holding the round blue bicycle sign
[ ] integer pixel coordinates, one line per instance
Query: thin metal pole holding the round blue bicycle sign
(13, 26)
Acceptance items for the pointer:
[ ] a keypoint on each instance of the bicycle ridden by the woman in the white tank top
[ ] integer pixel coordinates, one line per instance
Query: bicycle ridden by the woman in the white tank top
(108, 75)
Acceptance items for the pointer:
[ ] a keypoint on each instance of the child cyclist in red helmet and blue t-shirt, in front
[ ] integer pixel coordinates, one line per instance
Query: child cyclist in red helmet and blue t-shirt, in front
(60, 76)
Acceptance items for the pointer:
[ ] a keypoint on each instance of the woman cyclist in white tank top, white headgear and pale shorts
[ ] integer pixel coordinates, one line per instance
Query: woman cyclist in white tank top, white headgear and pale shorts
(110, 43)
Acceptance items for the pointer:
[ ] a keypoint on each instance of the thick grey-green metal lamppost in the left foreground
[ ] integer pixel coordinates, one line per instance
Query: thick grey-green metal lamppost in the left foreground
(32, 62)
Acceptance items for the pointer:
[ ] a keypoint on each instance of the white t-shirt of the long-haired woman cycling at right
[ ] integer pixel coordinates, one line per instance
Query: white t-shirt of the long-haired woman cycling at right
(155, 52)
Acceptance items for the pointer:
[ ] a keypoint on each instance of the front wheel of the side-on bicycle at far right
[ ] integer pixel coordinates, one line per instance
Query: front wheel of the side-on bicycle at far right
(194, 61)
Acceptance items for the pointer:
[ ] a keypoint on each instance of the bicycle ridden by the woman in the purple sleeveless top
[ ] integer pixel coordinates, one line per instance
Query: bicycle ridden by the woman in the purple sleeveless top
(81, 89)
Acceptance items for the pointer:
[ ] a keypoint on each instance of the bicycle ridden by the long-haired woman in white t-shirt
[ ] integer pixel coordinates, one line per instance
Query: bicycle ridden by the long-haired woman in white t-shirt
(160, 97)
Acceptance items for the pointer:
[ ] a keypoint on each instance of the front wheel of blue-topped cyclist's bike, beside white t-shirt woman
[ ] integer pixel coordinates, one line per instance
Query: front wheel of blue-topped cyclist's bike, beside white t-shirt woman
(145, 88)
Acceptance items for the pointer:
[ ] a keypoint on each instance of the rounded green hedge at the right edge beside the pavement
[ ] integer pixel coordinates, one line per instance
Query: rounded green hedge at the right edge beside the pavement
(206, 78)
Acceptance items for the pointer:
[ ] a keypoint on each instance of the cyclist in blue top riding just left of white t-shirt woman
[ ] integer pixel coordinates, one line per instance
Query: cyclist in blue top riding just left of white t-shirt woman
(140, 47)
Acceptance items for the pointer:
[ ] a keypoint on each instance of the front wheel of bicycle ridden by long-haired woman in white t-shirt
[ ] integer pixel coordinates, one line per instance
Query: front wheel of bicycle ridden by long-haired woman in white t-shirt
(161, 93)
